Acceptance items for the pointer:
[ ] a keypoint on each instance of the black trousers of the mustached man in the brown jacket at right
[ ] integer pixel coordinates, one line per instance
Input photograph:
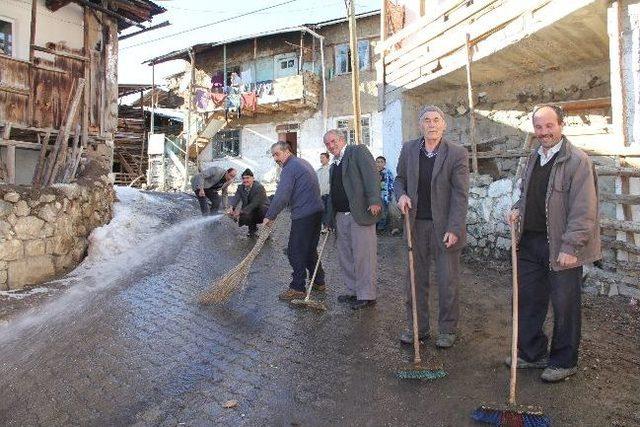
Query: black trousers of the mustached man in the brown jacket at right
(538, 285)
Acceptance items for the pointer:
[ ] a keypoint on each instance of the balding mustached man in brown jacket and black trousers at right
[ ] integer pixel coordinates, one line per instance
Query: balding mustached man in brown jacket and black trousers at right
(558, 232)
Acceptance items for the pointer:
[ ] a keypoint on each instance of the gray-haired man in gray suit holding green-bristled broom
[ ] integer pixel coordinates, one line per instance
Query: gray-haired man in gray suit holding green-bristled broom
(432, 187)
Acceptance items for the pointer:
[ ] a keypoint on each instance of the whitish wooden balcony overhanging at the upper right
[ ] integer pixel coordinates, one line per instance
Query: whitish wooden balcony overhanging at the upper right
(506, 38)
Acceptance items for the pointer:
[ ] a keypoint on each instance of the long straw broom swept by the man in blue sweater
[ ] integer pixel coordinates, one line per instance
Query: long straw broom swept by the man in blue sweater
(222, 288)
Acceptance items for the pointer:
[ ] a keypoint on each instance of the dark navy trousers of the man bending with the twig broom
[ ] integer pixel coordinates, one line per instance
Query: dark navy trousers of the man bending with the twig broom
(303, 250)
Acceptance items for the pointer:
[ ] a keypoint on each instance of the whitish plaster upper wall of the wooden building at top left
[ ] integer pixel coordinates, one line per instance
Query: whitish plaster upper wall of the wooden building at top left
(65, 24)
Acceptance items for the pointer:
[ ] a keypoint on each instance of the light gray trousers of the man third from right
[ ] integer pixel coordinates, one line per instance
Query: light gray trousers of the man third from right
(357, 252)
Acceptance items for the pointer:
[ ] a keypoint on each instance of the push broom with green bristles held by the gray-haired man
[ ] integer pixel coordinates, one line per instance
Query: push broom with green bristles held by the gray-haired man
(417, 371)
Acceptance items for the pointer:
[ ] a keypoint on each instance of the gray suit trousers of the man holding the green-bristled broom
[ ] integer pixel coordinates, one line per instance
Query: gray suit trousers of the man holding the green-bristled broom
(426, 246)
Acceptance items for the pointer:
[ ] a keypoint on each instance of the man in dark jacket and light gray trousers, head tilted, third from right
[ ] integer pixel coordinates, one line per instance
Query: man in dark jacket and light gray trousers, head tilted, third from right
(355, 206)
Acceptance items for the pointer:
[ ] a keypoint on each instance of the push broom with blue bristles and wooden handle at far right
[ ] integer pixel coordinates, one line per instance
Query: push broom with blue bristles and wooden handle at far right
(512, 415)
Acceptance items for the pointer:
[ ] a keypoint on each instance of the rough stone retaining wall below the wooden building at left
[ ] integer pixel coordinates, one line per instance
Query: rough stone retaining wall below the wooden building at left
(43, 232)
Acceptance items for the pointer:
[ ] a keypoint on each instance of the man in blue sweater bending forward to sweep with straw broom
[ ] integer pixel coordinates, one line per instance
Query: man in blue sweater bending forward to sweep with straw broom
(299, 189)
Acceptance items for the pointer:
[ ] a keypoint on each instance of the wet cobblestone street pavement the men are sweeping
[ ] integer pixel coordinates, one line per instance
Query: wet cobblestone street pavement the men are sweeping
(136, 348)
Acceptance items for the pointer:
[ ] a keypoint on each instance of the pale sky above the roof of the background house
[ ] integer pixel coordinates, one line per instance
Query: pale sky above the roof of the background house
(186, 14)
